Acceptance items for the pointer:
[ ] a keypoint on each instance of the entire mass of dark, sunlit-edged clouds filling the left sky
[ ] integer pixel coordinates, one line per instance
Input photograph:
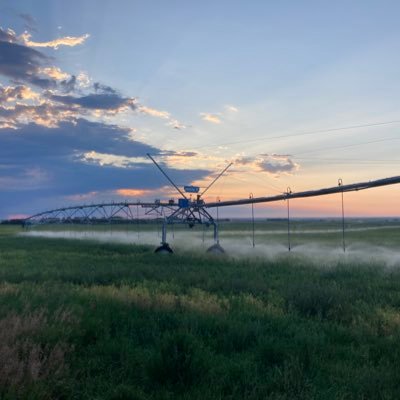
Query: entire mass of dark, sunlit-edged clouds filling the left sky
(48, 149)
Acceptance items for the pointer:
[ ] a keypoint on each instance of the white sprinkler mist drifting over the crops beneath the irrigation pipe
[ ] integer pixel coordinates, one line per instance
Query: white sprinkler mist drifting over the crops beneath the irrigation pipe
(238, 244)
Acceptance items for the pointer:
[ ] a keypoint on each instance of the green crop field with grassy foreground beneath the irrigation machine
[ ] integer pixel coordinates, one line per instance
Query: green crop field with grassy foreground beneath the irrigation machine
(106, 318)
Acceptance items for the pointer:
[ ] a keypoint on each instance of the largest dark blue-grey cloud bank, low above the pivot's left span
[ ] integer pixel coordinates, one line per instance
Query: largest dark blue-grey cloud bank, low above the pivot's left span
(46, 163)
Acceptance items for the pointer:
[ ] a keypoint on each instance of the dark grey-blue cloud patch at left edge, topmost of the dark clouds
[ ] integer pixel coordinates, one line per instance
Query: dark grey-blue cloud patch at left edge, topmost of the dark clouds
(22, 64)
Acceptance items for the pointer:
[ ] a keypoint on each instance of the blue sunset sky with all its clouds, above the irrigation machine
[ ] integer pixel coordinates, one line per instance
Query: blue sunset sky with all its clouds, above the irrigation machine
(295, 94)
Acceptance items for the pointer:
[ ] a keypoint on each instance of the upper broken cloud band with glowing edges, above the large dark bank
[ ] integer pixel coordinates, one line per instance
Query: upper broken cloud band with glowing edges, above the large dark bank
(21, 63)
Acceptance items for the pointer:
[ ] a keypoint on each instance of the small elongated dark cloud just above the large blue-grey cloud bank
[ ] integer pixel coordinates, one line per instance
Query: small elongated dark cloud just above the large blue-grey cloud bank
(102, 101)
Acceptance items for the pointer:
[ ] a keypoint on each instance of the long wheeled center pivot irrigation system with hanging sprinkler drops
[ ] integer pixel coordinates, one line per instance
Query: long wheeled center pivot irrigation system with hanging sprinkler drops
(188, 211)
